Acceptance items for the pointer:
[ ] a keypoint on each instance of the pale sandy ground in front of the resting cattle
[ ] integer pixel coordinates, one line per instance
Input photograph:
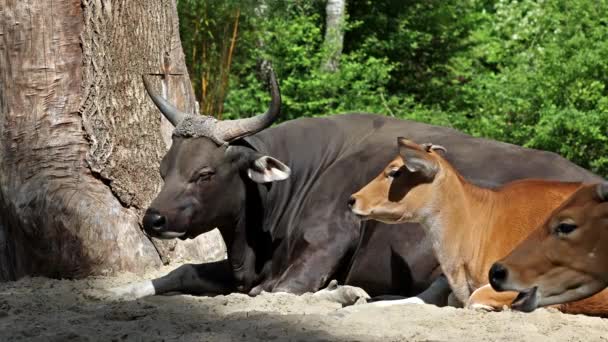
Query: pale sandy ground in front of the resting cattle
(40, 309)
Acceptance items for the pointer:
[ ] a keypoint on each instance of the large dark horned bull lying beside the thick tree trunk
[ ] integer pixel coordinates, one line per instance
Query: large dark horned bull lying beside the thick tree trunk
(279, 198)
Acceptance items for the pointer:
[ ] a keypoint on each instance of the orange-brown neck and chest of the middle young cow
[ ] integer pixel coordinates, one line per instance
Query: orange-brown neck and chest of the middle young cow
(460, 225)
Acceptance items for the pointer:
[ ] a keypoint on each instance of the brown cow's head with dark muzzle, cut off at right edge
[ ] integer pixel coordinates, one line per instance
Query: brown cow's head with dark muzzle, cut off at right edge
(564, 259)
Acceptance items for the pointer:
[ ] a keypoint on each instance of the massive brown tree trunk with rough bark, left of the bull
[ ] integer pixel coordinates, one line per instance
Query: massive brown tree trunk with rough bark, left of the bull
(80, 142)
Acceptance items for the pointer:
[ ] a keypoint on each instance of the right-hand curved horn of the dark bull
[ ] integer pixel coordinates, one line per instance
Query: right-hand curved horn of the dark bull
(235, 129)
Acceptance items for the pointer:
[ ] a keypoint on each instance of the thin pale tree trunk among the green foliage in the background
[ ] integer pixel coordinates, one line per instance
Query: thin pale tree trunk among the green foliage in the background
(334, 34)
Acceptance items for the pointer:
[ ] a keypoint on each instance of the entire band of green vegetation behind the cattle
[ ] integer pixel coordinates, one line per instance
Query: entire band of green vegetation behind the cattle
(533, 73)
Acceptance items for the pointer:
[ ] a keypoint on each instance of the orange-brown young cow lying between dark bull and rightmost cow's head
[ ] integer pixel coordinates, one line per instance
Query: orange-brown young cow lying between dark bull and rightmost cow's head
(470, 227)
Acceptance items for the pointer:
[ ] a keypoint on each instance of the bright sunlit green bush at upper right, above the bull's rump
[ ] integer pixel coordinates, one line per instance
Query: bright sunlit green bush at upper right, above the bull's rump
(536, 75)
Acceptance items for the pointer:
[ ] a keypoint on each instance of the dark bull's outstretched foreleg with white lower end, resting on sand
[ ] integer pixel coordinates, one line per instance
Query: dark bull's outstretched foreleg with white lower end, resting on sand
(202, 279)
